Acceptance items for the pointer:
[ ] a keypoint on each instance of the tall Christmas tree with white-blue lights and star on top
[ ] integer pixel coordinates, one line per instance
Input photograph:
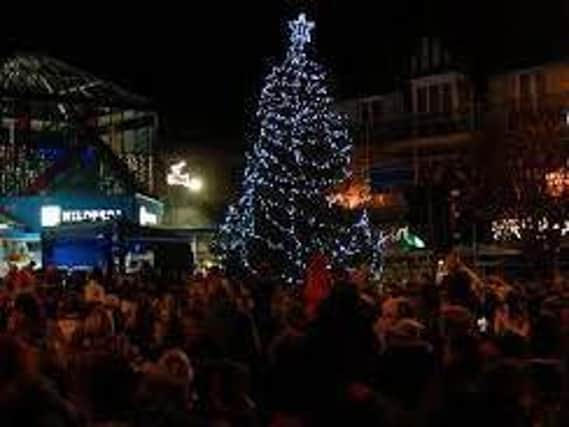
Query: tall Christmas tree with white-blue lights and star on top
(302, 150)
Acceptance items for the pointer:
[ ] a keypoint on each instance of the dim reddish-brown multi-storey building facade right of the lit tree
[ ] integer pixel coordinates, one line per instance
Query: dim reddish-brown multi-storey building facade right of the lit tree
(417, 140)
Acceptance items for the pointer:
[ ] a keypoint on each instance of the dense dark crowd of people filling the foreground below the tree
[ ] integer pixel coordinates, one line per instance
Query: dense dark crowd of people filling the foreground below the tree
(229, 350)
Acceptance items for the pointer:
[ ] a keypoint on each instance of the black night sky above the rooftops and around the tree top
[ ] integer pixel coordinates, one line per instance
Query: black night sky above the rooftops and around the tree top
(203, 64)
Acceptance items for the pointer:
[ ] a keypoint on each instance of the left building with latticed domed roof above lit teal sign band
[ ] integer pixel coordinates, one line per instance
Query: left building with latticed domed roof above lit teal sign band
(74, 149)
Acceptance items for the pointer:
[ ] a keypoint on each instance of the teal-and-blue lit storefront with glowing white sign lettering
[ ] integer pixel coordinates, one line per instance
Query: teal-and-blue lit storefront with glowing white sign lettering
(33, 217)
